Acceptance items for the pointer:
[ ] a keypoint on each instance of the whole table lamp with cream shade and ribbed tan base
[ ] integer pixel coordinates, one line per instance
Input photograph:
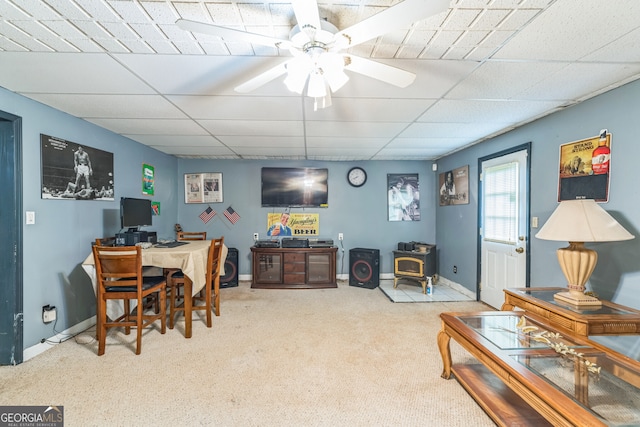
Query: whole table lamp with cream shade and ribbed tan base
(579, 221)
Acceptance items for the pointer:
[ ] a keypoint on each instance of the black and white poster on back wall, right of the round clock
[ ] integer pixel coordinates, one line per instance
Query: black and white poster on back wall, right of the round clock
(403, 197)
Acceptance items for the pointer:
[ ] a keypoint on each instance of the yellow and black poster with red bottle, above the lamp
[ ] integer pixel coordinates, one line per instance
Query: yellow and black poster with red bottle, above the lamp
(584, 168)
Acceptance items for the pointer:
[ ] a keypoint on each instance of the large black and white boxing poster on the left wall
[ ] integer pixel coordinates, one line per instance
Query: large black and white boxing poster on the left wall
(72, 171)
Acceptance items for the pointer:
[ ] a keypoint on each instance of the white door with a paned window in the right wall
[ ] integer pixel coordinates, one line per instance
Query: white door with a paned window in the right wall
(503, 231)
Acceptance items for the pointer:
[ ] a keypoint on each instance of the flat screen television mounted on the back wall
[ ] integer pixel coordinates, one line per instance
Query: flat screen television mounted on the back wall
(295, 187)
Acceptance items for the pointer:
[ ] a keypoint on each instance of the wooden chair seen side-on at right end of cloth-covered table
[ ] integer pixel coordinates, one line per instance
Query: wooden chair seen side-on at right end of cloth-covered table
(208, 298)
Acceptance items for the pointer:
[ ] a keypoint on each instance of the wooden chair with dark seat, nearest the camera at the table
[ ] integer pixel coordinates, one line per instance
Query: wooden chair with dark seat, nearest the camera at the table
(119, 277)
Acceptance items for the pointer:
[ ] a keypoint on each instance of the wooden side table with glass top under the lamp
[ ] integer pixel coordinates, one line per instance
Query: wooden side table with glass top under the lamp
(608, 319)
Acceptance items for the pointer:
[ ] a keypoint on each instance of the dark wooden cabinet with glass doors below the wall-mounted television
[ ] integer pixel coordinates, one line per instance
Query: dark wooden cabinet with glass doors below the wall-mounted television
(294, 267)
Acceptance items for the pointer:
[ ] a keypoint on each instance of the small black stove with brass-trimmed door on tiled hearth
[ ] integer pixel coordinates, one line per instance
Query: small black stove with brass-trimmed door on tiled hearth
(417, 265)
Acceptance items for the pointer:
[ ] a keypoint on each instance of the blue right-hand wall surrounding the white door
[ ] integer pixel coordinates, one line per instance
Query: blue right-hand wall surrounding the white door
(617, 274)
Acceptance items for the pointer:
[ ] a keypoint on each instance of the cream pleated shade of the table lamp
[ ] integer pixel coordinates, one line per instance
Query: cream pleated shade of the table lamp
(582, 221)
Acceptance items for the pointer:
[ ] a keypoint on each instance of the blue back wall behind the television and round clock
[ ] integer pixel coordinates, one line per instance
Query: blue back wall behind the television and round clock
(359, 213)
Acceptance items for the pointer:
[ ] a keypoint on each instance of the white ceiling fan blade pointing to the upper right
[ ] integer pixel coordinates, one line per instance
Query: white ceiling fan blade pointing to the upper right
(393, 18)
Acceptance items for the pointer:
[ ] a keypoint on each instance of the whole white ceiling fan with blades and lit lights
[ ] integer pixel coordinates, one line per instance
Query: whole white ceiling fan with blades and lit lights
(317, 47)
